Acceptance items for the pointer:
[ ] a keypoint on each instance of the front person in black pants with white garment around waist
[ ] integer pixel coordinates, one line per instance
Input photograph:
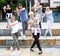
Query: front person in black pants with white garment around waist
(35, 31)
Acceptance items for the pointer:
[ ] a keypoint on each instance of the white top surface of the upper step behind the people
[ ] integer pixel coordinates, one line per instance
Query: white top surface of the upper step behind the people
(44, 25)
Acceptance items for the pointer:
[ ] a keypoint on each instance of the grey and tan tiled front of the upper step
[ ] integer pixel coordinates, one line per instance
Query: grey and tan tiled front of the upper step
(6, 32)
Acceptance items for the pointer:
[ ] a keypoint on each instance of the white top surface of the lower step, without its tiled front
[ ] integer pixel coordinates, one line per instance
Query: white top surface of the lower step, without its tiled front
(30, 38)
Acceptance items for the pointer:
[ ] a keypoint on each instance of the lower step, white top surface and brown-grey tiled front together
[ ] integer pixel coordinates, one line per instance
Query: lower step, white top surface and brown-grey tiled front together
(45, 41)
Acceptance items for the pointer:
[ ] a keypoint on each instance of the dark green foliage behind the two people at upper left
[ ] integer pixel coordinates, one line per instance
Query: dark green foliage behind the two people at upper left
(13, 6)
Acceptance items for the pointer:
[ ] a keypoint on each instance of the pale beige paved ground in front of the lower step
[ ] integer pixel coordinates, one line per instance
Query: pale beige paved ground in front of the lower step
(26, 52)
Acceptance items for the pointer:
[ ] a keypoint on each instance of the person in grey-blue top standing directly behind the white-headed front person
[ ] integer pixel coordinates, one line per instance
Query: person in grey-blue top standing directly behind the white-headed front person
(38, 8)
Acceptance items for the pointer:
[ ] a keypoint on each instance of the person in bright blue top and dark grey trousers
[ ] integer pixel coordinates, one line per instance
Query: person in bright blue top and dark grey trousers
(24, 17)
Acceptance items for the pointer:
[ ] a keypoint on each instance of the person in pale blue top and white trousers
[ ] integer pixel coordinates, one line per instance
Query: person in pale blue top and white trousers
(49, 16)
